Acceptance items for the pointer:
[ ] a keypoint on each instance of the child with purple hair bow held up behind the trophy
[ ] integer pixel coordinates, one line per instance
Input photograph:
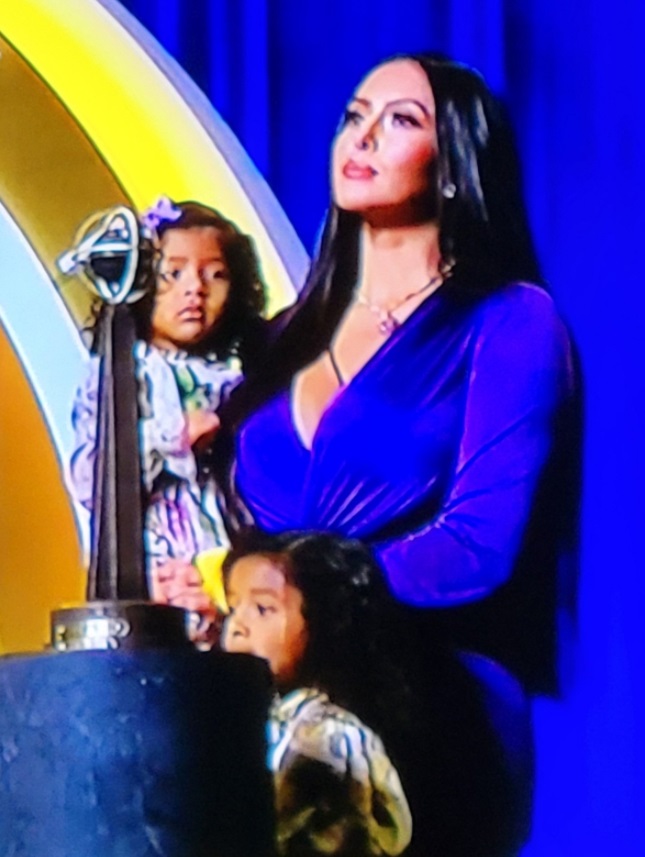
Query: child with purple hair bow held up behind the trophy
(199, 326)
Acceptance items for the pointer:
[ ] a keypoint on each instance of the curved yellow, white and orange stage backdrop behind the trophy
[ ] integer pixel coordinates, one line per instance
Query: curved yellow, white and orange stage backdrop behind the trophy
(95, 114)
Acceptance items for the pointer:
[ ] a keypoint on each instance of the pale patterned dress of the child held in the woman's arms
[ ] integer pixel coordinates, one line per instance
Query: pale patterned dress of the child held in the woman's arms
(181, 518)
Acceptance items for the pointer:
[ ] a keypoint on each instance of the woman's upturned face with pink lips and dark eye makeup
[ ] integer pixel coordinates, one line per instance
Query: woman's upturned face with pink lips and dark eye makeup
(382, 156)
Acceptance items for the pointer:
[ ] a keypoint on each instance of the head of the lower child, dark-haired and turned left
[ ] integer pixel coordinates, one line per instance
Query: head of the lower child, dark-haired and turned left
(313, 605)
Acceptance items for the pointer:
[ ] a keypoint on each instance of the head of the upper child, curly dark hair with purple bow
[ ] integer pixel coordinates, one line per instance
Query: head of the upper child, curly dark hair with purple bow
(206, 283)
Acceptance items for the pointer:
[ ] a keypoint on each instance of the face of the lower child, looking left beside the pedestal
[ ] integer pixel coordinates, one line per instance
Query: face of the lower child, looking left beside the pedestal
(265, 616)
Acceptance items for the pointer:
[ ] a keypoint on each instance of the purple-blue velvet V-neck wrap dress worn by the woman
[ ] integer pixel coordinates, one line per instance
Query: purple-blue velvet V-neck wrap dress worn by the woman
(453, 454)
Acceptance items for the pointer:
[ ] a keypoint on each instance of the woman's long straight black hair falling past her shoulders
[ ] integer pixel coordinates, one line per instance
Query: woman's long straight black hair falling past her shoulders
(484, 235)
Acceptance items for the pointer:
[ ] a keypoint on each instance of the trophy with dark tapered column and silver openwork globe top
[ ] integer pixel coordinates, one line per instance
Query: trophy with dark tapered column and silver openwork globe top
(118, 612)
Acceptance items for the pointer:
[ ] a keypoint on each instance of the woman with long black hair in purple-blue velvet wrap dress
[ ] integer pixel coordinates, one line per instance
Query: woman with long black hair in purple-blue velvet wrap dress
(421, 394)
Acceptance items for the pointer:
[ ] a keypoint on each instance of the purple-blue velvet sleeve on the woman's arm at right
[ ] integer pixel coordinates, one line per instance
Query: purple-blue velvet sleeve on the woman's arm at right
(520, 375)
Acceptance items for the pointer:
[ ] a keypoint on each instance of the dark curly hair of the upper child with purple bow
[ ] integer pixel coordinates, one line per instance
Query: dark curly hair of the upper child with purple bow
(241, 317)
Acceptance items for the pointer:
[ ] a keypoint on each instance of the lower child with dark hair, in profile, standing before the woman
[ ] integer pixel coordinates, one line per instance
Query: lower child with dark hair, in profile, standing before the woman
(314, 607)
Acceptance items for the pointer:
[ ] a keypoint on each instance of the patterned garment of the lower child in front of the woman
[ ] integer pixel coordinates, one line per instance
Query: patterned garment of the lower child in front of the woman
(336, 789)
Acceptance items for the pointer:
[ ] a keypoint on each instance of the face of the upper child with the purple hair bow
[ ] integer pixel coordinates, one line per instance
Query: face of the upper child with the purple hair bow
(192, 287)
